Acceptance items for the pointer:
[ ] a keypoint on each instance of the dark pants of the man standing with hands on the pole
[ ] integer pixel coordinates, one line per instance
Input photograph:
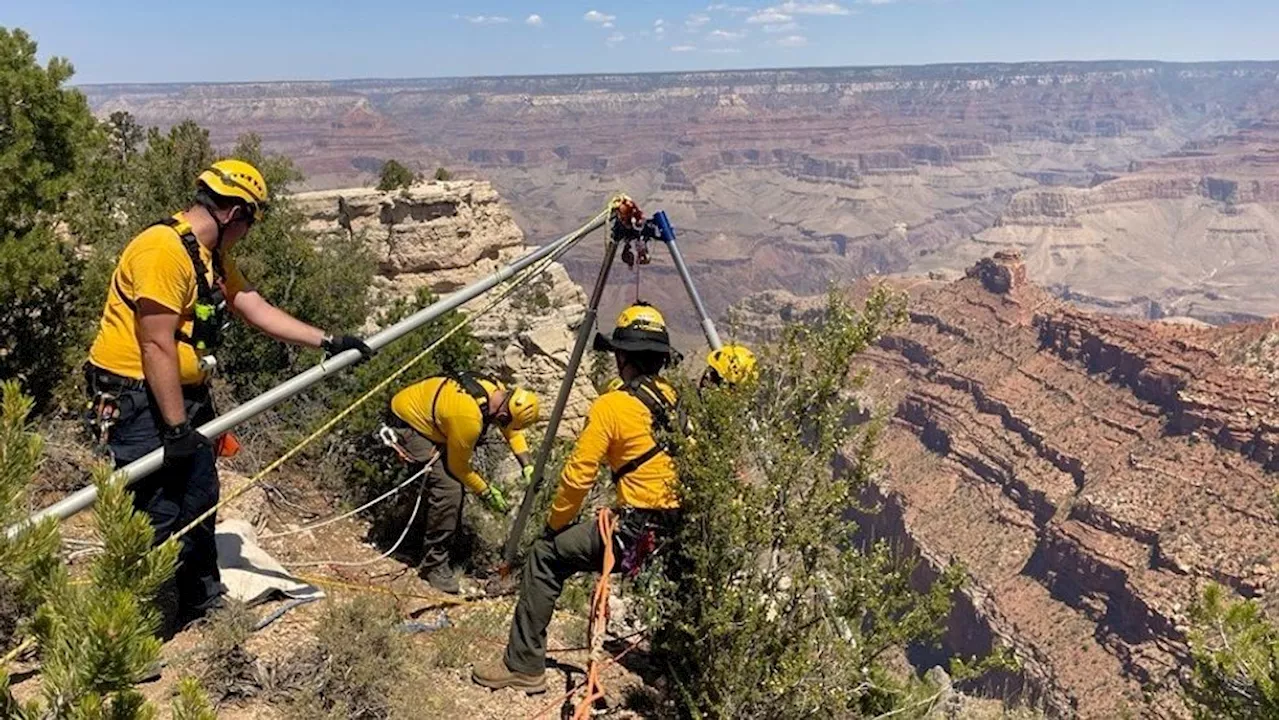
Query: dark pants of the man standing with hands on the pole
(175, 495)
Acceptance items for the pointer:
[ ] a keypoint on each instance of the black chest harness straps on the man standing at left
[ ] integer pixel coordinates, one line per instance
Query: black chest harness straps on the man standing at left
(211, 316)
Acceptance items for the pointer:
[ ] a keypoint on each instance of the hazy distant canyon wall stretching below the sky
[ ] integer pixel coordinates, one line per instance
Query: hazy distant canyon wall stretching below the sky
(792, 179)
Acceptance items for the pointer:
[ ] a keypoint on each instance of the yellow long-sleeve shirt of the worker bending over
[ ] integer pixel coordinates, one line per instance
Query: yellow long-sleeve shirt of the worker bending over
(446, 414)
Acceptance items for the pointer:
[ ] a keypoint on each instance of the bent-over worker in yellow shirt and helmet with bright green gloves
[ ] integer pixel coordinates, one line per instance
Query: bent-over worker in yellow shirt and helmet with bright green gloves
(452, 416)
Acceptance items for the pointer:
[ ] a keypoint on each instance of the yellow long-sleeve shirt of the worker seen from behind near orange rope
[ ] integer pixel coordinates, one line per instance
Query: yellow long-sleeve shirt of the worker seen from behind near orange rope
(619, 429)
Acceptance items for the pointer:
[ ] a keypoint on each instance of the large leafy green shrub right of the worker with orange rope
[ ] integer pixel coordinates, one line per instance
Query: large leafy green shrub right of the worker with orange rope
(765, 571)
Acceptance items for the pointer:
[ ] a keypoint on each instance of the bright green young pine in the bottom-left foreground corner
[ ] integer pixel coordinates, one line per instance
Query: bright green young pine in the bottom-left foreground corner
(97, 637)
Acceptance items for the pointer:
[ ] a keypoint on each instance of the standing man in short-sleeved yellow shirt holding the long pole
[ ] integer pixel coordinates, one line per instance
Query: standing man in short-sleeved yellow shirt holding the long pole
(148, 371)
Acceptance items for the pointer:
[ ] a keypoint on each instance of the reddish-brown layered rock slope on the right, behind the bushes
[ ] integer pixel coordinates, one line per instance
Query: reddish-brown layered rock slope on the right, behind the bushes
(1091, 473)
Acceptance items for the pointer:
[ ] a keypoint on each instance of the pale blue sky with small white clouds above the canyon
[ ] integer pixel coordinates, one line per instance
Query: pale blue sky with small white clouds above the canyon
(244, 40)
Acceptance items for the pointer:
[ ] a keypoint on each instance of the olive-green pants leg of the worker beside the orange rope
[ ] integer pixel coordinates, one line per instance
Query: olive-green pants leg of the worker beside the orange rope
(551, 563)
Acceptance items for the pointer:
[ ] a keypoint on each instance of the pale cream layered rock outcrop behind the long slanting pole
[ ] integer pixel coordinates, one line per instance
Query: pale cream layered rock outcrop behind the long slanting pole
(446, 235)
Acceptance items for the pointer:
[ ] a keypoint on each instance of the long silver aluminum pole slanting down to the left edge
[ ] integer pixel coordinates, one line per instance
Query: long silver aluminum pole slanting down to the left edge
(150, 463)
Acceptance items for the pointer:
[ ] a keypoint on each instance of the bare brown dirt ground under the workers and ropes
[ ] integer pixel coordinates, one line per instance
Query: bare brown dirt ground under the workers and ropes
(441, 660)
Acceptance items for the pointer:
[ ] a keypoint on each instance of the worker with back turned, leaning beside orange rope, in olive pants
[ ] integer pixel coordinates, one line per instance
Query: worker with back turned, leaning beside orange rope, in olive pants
(624, 430)
